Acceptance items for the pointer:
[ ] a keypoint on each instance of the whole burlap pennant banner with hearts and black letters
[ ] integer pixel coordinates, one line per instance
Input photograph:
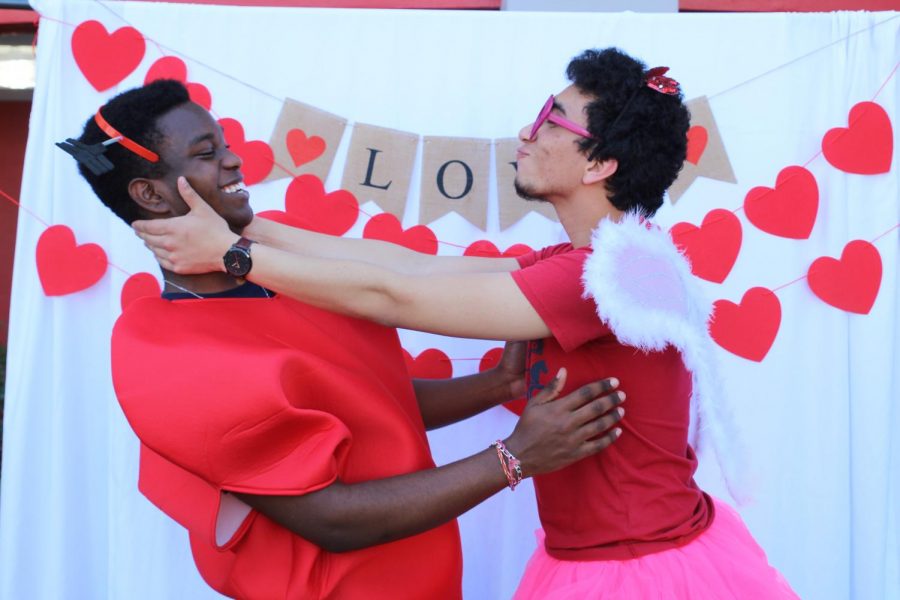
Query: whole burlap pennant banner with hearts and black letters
(455, 171)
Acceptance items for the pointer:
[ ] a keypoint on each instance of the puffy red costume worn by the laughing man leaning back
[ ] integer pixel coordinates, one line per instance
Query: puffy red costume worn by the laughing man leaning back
(271, 396)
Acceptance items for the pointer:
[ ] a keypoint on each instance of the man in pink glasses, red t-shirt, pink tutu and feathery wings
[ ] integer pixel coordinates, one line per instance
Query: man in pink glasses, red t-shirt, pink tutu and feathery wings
(618, 298)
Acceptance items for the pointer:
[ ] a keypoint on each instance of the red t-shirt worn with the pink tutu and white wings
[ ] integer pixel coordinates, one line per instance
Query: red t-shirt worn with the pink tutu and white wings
(637, 496)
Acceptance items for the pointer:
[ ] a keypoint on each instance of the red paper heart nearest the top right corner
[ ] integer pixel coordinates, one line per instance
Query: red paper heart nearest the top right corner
(866, 146)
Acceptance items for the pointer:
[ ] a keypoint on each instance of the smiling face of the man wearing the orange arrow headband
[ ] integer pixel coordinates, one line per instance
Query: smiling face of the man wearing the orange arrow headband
(193, 146)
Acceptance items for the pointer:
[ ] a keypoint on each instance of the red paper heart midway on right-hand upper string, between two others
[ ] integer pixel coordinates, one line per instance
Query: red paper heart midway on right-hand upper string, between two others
(789, 210)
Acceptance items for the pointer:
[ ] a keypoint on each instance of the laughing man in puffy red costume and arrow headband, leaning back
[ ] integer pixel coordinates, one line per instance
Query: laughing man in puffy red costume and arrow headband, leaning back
(289, 440)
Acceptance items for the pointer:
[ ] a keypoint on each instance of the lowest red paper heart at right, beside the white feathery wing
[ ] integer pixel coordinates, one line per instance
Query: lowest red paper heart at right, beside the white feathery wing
(747, 329)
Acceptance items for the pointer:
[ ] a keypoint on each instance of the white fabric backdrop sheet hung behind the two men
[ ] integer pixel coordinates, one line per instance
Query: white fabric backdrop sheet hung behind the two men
(821, 411)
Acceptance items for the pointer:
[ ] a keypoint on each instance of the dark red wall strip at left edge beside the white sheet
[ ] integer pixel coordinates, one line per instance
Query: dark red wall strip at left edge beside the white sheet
(14, 125)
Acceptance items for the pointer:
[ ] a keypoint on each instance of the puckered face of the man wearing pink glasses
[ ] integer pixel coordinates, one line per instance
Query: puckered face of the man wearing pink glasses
(551, 165)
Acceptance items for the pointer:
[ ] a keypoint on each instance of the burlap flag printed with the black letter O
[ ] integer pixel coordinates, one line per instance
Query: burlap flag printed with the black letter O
(455, 174)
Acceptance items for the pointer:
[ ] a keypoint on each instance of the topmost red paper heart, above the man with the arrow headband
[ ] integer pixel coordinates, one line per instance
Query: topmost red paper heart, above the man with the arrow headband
(104, 58)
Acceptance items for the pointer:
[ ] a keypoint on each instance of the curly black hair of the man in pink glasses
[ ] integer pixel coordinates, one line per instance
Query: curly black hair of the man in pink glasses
(644, 130)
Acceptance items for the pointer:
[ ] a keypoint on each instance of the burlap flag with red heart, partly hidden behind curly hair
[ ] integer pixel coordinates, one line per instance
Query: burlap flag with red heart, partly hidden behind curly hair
(706, 156)
